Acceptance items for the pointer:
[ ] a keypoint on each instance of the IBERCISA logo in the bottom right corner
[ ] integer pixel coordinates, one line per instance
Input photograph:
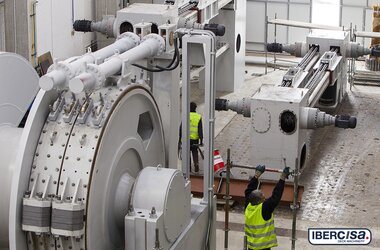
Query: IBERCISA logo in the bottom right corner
(339, 236)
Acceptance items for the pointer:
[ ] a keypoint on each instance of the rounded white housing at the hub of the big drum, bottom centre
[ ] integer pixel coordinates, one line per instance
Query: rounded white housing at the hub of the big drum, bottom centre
(170, 196)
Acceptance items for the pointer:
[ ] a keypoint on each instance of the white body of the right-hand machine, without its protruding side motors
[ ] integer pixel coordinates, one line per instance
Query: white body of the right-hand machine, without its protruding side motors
(270, 144)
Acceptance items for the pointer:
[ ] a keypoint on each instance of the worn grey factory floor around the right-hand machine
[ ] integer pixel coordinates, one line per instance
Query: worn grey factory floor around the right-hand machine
(341, 181)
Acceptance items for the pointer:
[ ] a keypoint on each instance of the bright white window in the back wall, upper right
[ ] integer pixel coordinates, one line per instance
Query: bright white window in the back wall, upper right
(326, 12)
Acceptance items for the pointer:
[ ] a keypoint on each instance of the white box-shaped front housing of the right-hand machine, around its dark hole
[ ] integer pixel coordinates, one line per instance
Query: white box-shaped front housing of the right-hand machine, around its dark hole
(270, 144)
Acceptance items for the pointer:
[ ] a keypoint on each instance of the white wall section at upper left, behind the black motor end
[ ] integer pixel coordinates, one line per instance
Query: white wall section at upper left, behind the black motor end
(54, 20)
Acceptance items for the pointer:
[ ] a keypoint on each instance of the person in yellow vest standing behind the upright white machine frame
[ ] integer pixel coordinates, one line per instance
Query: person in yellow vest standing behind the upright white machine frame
(196, 135)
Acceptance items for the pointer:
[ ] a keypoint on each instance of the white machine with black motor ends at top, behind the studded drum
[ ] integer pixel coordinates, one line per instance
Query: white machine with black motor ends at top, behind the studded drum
(163, 17)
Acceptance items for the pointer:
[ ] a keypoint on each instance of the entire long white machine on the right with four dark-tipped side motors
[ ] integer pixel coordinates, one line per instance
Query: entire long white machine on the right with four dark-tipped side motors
(283, 114)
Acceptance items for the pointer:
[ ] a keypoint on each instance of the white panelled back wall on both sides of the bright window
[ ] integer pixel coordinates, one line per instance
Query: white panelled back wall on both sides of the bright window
(357, 12)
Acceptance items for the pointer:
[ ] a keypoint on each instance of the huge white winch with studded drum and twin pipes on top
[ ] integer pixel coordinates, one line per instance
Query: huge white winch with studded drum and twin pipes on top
(95, 166)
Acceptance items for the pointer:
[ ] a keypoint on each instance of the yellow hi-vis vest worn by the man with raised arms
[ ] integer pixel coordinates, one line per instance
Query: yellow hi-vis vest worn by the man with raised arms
(260, 233)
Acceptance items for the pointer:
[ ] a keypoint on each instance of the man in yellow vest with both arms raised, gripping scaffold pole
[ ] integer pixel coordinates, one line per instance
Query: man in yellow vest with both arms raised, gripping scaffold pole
(259, 218)
